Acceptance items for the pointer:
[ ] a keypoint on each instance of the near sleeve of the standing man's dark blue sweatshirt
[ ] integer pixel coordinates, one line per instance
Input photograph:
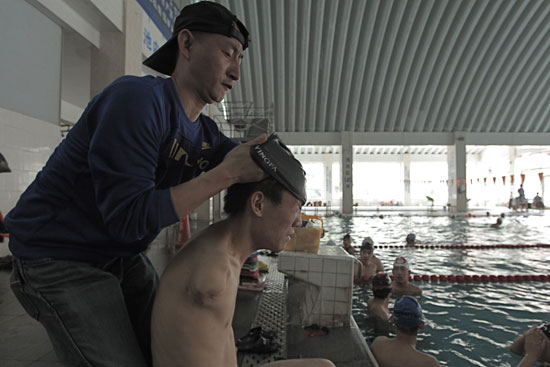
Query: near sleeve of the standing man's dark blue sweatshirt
(125, 140)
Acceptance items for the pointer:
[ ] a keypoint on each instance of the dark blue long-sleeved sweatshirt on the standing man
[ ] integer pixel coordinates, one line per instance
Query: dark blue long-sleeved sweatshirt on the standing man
(104, 191)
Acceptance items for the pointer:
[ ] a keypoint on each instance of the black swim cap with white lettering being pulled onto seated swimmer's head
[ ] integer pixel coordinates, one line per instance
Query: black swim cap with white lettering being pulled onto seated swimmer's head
(277, 160)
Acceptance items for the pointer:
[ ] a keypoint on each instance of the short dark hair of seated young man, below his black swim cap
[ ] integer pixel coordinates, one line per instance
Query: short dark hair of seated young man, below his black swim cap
(238, 194)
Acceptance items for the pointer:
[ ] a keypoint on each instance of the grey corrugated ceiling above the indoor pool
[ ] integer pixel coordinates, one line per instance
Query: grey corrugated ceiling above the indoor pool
(397, 66)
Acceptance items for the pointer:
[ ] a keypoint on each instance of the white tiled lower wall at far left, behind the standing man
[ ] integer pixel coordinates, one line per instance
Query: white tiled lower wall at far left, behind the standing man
(26, 143)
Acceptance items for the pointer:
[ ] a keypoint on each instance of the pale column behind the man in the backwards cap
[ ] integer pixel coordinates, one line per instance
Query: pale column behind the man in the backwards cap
(119, 52)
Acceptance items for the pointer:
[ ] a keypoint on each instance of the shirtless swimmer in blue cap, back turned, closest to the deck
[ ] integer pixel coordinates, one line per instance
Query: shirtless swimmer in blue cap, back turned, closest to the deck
(401, 350)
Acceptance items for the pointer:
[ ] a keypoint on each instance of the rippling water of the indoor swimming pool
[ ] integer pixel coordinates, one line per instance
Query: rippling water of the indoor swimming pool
(468, 324)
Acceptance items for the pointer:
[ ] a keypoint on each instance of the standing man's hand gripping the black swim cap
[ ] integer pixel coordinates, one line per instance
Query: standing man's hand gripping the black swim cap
(240, 164)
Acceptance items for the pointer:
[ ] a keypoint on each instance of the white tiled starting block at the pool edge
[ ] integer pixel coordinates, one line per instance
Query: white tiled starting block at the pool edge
(328, 297)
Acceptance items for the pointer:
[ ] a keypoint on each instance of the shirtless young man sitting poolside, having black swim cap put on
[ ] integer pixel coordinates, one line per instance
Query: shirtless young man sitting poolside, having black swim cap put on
(193, 310)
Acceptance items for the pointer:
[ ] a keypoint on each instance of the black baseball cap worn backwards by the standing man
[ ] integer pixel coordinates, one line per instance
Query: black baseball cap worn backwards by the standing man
(204, 16)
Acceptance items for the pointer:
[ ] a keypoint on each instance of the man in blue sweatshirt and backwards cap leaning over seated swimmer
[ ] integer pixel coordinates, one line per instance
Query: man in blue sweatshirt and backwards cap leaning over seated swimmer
(131, 166)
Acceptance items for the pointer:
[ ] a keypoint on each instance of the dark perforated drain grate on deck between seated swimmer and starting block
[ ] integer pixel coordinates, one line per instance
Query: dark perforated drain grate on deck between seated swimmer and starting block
(271, 314)
